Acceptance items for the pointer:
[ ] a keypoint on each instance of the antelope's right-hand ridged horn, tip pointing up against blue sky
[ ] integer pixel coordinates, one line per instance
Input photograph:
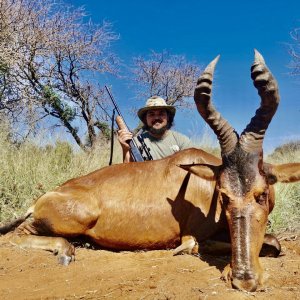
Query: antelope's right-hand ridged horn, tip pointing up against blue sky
(252, 137)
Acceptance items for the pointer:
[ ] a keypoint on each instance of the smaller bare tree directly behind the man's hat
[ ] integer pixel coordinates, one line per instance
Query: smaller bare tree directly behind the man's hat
(166, 75)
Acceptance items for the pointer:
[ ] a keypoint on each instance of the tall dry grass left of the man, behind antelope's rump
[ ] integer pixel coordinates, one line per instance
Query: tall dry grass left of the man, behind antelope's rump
(29, 170)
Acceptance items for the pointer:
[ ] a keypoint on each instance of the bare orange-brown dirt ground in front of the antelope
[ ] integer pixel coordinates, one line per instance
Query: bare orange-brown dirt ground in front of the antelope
(98, 274)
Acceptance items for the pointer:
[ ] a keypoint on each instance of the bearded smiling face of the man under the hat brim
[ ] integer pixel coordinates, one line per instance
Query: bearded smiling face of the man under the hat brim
(157, 120)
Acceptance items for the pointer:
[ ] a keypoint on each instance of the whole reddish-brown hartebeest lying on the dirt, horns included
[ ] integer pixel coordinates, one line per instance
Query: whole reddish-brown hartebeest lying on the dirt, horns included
(185, 198)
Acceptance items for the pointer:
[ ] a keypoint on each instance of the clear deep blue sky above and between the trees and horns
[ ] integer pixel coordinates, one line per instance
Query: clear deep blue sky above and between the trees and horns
(201, 30)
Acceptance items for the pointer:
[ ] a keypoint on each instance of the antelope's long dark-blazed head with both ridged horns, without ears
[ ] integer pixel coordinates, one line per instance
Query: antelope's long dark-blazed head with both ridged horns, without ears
(242, 180)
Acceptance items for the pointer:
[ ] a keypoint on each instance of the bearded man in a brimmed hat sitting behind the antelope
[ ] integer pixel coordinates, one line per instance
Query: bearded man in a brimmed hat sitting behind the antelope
(157, 118)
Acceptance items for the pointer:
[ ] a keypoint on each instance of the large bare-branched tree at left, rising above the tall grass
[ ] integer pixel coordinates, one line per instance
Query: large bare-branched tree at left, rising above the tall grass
(51, 59)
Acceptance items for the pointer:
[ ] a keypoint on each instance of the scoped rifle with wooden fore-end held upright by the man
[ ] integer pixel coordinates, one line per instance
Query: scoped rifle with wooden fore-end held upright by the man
(135, 152)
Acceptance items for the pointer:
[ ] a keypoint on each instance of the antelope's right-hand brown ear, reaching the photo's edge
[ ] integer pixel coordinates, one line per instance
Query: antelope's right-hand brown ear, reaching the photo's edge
(282, 173)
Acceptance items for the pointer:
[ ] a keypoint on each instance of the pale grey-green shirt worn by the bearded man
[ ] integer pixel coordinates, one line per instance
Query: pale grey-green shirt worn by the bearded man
(171, 142)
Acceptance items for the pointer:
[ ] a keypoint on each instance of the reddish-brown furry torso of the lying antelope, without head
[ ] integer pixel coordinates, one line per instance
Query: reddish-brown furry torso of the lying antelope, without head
(116, 209)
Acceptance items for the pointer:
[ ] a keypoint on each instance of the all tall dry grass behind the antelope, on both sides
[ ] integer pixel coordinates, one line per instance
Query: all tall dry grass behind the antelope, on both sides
(28, 170)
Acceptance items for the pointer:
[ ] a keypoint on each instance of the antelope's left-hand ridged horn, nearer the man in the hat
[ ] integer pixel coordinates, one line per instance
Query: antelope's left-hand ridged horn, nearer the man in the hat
(226, 135)
